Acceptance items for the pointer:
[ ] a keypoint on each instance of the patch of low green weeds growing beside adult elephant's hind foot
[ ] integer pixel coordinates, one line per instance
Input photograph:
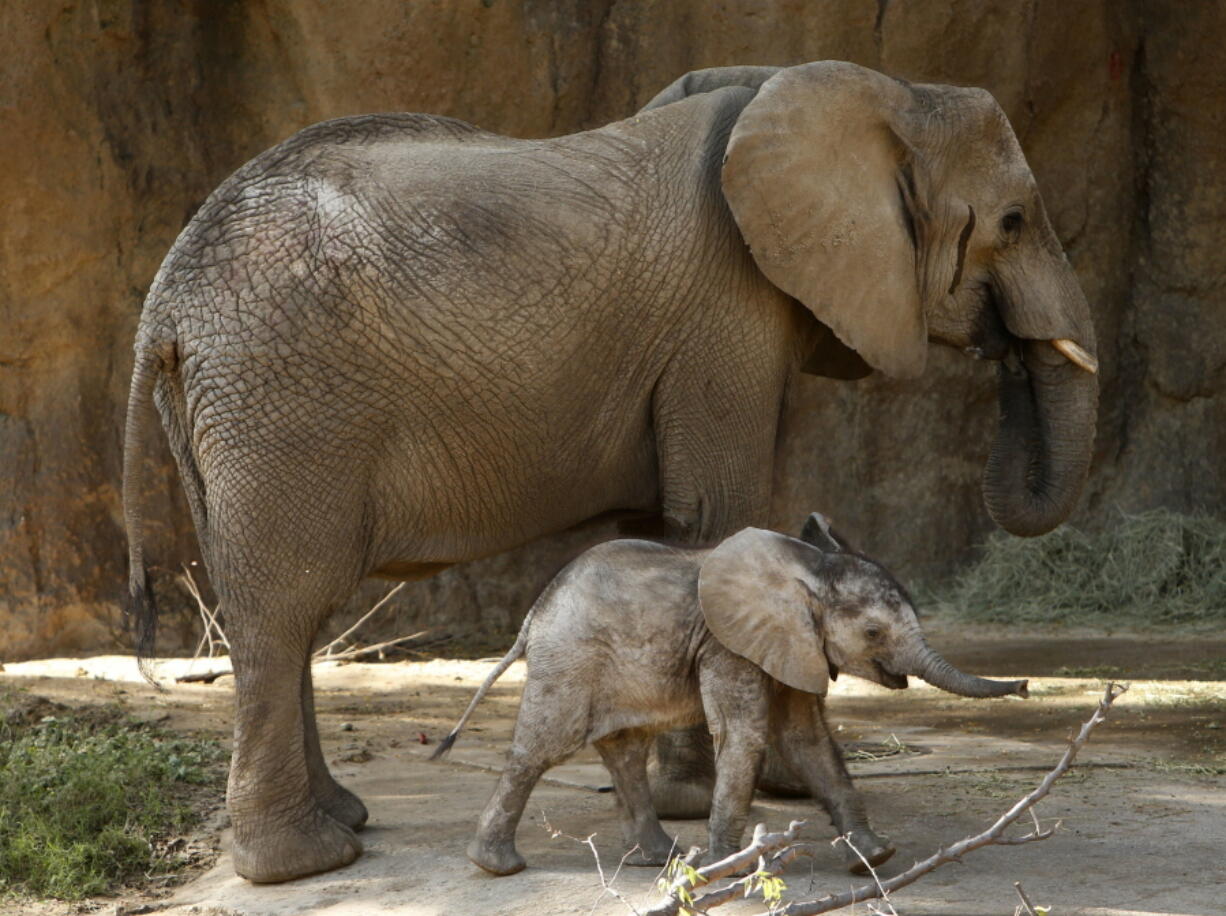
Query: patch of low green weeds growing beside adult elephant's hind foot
(89, 801)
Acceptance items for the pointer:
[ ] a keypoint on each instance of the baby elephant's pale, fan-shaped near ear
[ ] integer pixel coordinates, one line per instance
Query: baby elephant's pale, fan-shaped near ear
(755, 590)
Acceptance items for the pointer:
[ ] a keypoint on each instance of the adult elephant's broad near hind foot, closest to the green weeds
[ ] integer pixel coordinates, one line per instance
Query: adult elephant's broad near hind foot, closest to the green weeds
(307, 847)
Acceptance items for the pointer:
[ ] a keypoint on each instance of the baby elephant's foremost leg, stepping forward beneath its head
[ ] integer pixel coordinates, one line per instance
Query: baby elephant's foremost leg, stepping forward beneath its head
(806, 745)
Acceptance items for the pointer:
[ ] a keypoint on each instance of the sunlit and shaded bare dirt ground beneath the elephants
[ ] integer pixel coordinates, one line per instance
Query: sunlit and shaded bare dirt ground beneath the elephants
(1143, 817)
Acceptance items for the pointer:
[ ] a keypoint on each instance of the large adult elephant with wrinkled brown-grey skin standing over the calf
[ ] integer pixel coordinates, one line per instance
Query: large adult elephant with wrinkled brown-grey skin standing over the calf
(398, 343)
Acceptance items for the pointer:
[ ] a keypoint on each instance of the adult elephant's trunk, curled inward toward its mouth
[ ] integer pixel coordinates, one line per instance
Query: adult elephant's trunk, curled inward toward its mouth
(1049, 405)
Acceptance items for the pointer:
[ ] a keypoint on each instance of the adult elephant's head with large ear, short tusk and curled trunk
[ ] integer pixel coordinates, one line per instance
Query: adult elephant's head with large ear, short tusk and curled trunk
(903, 214)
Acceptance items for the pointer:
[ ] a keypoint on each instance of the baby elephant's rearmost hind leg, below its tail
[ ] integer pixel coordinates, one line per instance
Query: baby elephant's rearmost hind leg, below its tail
(549, 730)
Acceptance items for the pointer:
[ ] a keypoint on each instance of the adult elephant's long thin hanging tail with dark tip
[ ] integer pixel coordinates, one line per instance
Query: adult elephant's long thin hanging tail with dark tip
(140, 608)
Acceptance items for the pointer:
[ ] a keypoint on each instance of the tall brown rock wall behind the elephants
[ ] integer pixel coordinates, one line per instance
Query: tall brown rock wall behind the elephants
(118, 118)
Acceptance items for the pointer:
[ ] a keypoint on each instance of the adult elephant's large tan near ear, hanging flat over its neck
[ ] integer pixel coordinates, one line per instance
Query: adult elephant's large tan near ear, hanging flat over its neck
(823, 188)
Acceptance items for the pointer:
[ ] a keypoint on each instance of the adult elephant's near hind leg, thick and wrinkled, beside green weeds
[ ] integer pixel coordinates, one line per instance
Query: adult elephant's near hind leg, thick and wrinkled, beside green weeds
(281, 563)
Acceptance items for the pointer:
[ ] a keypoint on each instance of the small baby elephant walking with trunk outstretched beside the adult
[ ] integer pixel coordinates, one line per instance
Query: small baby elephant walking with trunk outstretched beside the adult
(637, 638)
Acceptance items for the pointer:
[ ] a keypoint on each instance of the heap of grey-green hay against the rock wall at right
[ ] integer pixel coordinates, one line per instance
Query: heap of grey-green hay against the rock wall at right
(1157, 568)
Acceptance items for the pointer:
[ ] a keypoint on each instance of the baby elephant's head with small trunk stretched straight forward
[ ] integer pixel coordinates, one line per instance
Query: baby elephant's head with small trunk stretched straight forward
(806, 611)
